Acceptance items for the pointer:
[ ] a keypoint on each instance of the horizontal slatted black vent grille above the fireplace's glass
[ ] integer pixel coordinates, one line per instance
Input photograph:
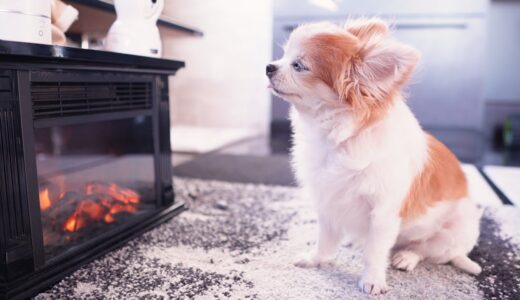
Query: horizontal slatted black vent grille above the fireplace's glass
(61, 99)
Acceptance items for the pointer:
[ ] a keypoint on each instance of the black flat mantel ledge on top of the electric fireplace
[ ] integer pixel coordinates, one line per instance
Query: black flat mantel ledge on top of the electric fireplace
(38, 53)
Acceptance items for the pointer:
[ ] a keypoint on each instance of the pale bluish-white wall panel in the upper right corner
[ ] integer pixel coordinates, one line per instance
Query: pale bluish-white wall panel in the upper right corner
(503, 57)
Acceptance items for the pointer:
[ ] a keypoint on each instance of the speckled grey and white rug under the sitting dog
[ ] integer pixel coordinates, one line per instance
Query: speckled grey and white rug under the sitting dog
(238, 241)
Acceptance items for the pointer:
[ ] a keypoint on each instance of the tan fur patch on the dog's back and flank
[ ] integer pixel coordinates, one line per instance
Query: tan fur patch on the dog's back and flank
(442, 179)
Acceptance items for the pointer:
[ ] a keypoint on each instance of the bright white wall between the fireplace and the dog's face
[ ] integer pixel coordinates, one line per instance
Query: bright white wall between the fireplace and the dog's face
(223, 84)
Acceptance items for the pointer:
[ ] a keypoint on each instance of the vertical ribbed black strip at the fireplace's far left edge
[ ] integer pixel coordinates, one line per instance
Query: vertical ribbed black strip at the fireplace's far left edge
(12, 195)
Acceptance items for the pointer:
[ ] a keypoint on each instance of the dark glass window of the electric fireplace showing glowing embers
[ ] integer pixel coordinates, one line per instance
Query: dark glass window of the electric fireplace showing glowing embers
(93, 178)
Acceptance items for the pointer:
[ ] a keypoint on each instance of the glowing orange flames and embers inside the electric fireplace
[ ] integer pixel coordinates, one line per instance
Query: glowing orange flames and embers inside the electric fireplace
(100, 202)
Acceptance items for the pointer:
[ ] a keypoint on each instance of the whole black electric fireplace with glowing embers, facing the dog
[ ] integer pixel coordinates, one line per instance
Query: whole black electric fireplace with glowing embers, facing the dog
(85, 159)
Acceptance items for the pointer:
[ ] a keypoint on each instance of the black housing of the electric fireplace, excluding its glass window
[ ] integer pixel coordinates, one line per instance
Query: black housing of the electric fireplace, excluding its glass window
(43, 87)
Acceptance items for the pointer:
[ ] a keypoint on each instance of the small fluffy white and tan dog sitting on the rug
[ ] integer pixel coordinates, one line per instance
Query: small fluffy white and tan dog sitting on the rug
(359, 152)
